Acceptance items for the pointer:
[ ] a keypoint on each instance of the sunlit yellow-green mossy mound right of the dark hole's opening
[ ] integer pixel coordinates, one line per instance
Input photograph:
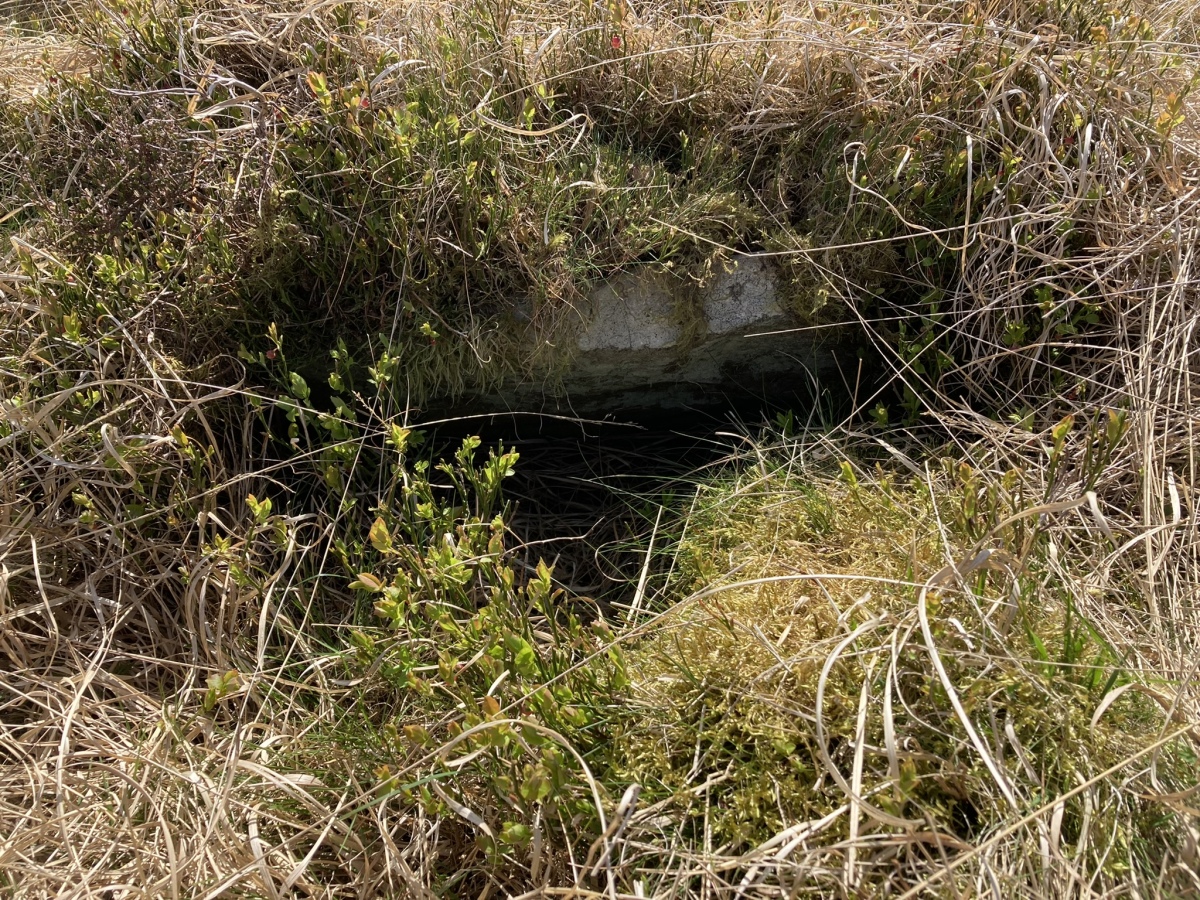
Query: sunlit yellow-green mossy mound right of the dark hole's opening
(878, 664)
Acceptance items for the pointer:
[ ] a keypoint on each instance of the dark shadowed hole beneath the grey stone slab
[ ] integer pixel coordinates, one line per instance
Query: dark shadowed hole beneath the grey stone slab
(589, 494)
